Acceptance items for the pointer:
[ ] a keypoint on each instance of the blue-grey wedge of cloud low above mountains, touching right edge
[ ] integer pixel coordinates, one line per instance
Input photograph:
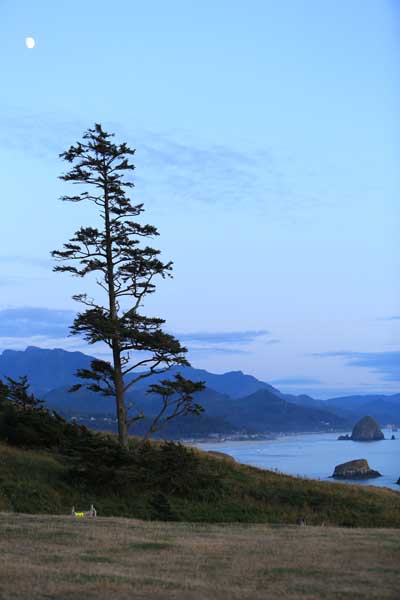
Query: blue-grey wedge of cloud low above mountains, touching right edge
(386, 364)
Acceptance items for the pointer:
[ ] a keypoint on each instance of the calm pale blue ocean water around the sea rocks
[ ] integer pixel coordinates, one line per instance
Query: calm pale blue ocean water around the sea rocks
(315, 455)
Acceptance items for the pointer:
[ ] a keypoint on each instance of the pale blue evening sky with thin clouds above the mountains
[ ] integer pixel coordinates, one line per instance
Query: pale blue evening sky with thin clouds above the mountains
(267, 154)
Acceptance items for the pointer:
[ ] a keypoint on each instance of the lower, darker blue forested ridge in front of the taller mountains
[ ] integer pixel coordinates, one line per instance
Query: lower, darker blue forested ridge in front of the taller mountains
(261, 412)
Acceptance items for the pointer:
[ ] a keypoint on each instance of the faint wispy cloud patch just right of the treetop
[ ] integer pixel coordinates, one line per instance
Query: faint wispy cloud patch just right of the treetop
(192, 170)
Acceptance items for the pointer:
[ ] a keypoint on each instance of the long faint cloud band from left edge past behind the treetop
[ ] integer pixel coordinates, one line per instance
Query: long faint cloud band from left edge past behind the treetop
(184, 168)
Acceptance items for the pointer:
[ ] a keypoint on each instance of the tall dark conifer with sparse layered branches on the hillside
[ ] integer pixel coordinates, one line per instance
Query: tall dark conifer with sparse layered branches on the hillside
(125, 268)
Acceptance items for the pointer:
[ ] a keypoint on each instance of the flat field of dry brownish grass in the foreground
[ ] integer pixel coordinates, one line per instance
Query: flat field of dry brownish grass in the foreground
(45, 557)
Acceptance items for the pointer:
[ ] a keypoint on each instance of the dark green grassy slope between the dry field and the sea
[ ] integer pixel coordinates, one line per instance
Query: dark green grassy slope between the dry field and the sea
(169, 482)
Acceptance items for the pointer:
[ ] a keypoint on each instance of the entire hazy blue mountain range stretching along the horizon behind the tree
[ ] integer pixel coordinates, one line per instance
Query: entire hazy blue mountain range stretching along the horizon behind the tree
(233, 401)
